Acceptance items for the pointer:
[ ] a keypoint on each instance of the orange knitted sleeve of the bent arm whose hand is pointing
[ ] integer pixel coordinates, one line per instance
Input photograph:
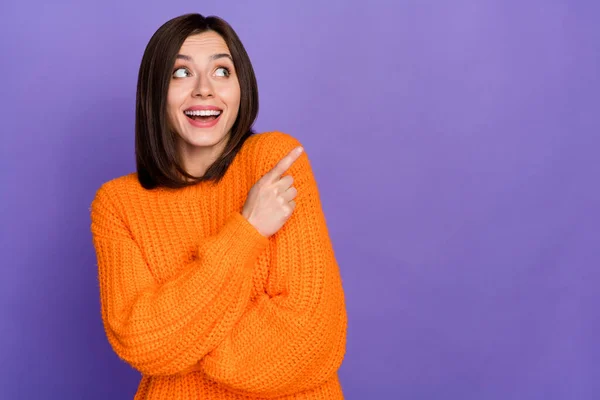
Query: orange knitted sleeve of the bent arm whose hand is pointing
(165, 328)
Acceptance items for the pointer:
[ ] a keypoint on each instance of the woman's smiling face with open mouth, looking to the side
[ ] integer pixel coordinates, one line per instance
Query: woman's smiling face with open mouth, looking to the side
(204, 96)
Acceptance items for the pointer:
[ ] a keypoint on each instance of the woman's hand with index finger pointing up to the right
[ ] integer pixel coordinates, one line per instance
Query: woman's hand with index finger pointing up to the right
(270, 202)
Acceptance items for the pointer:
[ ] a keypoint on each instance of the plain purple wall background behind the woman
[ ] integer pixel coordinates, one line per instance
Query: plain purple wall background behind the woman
(455, 144)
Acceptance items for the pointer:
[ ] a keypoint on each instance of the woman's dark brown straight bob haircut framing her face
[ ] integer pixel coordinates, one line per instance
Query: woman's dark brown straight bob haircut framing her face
(157, 157)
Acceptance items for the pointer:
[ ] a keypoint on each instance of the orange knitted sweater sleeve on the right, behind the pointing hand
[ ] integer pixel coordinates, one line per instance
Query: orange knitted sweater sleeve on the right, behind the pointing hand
(293, 337)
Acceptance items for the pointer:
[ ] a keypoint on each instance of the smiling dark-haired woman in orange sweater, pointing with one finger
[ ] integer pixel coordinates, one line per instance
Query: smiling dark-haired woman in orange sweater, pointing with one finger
(217, 275)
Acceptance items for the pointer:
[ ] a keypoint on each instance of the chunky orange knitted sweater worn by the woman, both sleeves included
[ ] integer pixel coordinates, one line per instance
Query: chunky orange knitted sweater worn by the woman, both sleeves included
(202, 304)
